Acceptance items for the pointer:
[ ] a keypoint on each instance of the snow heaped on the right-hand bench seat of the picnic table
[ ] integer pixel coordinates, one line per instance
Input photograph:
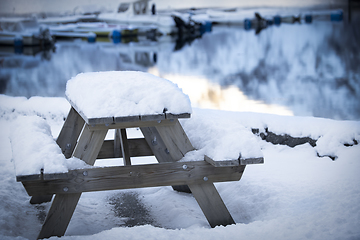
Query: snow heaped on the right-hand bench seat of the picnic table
(219, 137)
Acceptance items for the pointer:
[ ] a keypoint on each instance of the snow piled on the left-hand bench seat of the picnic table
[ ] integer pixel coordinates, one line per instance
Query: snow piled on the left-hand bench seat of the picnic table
(34, 148)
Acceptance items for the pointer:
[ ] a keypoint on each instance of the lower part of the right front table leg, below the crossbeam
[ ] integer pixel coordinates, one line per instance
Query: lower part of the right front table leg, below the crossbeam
(211, 204)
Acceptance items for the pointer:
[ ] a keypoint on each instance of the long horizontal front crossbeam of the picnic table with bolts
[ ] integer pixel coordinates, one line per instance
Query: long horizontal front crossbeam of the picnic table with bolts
(136, 176)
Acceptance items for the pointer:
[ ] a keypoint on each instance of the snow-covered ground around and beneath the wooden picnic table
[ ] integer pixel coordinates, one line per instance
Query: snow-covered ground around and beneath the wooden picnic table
(294, 195)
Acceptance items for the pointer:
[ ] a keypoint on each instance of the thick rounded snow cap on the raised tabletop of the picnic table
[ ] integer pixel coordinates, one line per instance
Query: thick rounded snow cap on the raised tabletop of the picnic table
(125, 93)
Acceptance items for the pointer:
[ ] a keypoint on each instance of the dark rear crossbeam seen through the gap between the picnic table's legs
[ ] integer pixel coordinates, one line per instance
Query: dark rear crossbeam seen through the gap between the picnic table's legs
(138, 147)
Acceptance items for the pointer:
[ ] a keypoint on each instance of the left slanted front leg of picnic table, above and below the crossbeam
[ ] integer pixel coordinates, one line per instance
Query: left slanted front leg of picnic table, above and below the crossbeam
(63, 206)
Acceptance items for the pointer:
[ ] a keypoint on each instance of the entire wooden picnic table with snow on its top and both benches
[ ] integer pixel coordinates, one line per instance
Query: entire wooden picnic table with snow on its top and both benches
(119, 100)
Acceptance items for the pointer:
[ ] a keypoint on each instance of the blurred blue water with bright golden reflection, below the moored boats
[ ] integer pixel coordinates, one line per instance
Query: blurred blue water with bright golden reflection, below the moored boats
(299, 69)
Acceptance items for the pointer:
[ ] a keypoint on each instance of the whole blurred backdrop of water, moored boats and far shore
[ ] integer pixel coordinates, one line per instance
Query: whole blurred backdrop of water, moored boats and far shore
(297, 58)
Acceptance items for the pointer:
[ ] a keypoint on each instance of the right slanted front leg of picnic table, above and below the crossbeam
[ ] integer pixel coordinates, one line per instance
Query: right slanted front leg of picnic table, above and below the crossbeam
(173, 141)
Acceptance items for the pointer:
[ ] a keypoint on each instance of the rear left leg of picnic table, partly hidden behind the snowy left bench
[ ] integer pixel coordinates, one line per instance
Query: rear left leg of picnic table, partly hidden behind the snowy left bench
(66, 140)
